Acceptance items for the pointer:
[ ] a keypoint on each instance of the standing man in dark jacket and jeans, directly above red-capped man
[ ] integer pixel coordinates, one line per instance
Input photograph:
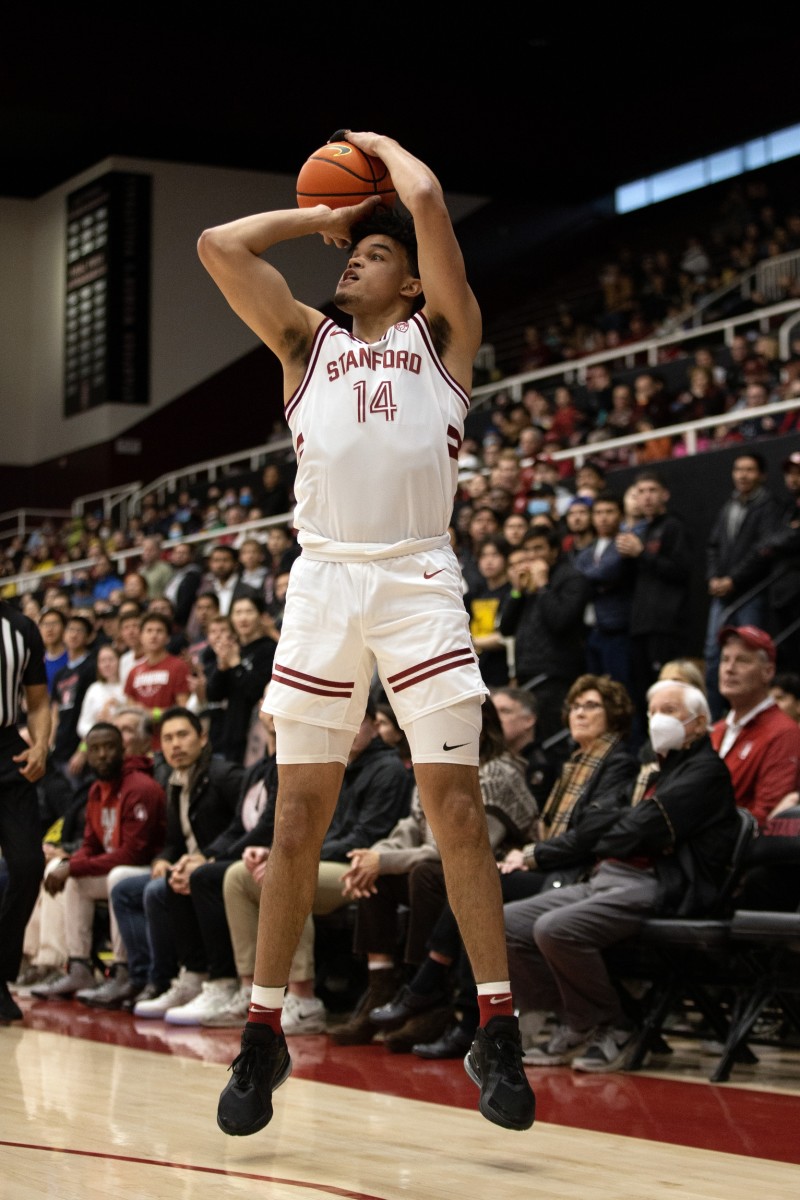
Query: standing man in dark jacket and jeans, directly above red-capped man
(743, 524)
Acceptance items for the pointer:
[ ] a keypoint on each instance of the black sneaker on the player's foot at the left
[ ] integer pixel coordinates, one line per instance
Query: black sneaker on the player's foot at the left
(263, 1065)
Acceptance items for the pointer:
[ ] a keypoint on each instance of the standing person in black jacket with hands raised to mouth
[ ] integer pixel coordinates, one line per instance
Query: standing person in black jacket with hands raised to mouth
(545, 616)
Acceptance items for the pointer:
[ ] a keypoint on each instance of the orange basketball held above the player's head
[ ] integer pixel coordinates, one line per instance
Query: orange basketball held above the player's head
(340, 175)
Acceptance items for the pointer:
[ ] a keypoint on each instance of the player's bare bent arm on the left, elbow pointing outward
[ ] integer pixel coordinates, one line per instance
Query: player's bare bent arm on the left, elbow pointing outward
(256, 291)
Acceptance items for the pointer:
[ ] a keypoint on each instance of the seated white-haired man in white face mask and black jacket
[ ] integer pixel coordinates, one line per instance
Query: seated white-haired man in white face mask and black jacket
(665, 854)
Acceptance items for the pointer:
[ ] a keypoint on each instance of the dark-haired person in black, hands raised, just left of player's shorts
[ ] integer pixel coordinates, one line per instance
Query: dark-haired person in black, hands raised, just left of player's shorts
(242, 670)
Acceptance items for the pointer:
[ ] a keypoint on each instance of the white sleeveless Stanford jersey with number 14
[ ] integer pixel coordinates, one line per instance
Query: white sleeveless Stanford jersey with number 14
(377, 429)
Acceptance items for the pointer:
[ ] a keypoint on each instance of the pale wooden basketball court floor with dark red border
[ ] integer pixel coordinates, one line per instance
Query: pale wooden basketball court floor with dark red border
(104, 1105)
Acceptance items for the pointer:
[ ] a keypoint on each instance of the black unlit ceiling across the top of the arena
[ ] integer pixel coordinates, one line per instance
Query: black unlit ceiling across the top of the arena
(502, 112)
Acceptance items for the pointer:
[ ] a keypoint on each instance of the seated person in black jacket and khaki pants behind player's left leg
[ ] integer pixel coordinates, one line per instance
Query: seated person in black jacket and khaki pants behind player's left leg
(375, 796)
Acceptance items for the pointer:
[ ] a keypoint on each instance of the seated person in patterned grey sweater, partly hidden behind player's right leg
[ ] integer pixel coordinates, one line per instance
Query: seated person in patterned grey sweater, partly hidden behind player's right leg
(393, 873)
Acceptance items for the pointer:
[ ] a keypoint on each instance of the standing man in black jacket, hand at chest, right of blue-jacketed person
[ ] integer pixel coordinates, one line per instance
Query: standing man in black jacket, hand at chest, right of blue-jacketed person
(663, 555)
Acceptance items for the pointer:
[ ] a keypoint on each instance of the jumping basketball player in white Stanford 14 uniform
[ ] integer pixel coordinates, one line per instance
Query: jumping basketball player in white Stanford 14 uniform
(377, 418)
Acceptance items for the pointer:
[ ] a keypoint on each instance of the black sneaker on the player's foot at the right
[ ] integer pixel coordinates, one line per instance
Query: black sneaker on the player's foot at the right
(495, 1064)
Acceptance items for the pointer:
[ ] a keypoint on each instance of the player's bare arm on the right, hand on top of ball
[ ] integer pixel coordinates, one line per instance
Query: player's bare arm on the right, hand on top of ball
(450, 305)
